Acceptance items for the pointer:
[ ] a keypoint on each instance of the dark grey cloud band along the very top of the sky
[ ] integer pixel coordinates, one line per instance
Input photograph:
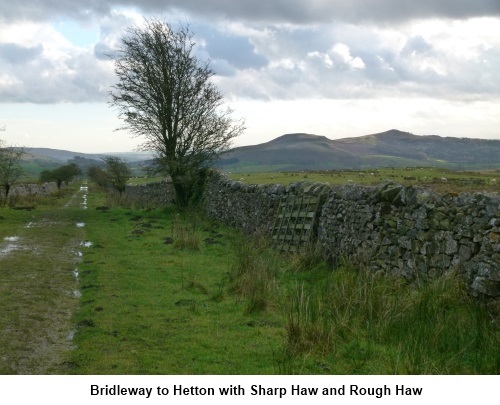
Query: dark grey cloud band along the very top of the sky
(294, 11)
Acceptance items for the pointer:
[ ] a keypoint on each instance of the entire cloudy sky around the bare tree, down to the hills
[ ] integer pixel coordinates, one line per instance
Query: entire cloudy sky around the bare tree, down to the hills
(339, 68)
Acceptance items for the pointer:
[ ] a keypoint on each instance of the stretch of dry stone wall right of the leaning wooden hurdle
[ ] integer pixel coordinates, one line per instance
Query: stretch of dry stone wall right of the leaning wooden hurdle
(416, 233)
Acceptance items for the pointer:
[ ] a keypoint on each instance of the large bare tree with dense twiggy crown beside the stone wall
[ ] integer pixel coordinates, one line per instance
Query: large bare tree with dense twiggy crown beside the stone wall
(165, 95)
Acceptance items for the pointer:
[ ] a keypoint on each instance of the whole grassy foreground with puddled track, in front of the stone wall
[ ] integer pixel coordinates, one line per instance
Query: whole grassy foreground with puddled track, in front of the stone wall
(88, 286)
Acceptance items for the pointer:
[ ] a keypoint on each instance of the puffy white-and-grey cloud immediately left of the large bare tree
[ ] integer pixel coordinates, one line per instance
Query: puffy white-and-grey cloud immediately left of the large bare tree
(43, 67)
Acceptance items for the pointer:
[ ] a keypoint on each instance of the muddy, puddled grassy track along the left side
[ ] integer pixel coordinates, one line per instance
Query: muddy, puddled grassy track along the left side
(39, 289)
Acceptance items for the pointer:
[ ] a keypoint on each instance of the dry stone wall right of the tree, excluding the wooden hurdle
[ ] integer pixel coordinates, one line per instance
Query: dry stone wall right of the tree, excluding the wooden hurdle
(407, 231)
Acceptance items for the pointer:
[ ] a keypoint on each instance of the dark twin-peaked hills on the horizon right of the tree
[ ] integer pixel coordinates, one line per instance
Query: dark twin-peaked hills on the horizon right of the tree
(300, 151)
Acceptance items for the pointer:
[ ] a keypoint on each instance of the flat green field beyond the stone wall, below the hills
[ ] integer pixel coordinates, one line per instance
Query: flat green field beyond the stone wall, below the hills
(440, 180)
